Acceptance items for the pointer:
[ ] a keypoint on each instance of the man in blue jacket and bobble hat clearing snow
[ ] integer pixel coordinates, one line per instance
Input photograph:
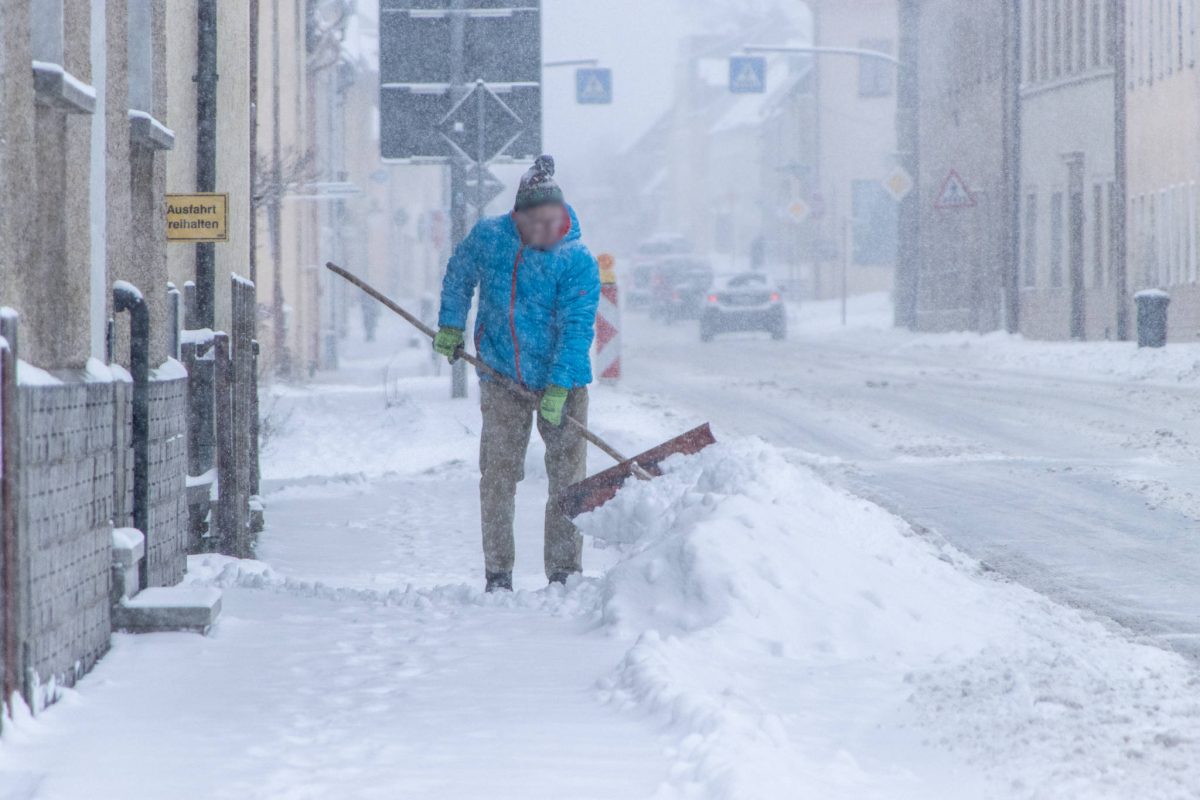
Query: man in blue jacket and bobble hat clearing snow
(539, 287)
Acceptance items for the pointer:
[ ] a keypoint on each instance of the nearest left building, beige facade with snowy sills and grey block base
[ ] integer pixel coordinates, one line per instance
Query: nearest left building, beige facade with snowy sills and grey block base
(88, 447)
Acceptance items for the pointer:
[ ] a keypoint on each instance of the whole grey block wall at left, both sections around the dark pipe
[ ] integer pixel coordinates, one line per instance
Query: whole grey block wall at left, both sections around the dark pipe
(76, 484)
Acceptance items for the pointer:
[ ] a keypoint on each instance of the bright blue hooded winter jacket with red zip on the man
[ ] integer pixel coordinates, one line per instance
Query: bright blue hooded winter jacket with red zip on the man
(537, 308)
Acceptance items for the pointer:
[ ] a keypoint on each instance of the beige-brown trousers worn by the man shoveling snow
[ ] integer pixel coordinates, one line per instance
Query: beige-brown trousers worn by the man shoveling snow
(508, 422)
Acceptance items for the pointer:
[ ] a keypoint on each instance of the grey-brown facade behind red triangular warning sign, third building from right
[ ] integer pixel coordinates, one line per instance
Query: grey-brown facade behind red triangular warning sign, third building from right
(967, 164)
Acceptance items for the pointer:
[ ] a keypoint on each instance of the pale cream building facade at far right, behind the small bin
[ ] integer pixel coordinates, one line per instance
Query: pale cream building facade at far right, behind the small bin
(1162, 87)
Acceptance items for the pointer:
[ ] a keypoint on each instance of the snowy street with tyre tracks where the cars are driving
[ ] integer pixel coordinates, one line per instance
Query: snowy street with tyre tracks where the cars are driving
(1081, 486)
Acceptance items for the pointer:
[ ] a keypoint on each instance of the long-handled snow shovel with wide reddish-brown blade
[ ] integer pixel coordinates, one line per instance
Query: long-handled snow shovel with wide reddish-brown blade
(591, 492)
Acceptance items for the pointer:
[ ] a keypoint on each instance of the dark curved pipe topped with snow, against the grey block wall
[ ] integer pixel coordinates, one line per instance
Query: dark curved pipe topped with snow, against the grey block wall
(127, 297)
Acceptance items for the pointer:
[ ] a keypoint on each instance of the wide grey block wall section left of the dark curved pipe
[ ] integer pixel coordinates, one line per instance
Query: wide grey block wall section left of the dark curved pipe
(67, 500)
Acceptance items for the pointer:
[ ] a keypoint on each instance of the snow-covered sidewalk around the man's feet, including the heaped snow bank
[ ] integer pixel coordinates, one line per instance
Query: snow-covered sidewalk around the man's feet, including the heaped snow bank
(748, 631)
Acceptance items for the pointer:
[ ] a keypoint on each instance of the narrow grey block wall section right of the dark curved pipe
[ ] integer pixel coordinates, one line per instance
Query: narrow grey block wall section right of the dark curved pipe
(167, 540)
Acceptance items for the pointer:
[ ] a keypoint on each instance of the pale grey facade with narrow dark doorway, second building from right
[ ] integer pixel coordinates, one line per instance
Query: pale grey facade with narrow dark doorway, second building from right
(1070, 210)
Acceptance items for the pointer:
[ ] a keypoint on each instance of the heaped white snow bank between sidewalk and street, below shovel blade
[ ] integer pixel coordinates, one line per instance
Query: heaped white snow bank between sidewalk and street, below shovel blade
(791, 634)
